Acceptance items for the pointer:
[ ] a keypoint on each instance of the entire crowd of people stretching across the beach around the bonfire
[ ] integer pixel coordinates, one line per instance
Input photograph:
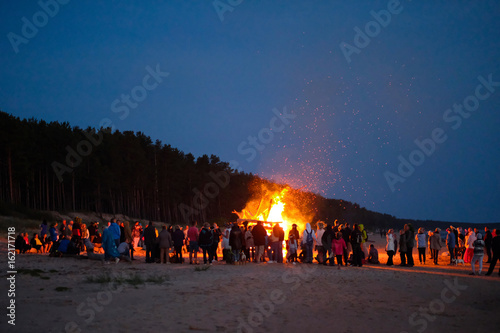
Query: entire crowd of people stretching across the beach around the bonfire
(330, 244)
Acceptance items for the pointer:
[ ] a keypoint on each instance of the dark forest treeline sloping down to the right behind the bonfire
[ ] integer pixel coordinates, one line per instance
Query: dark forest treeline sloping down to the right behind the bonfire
(56, 167)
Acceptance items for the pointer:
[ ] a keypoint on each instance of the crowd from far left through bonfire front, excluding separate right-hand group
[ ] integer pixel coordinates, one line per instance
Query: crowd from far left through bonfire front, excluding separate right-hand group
(246, 242)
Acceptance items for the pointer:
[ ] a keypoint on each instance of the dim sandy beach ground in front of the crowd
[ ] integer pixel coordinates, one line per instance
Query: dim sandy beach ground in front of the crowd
(248, 298)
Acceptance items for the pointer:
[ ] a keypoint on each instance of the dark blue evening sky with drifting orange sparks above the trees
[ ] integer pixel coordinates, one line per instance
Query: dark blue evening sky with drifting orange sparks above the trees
(395, 106)
